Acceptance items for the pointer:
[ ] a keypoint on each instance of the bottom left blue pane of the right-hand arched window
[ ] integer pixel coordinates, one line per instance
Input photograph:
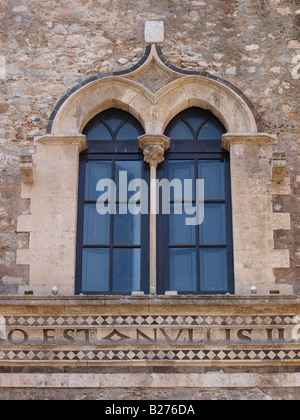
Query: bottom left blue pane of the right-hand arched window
(183, 269)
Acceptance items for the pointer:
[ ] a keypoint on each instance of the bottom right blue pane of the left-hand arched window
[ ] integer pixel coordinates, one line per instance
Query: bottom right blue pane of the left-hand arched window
(127, 270)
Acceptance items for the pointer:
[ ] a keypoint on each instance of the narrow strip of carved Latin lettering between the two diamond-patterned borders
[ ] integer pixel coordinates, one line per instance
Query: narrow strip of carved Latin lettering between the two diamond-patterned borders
(161, 336)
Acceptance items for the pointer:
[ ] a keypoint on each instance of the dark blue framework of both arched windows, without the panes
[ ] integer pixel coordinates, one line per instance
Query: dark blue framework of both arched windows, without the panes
(112, 150)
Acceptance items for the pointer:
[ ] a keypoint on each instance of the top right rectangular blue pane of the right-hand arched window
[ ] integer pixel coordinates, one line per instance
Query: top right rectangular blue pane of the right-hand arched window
(214, 180)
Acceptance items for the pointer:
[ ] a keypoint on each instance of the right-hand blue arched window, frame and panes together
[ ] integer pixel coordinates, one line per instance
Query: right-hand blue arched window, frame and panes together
(197, 259)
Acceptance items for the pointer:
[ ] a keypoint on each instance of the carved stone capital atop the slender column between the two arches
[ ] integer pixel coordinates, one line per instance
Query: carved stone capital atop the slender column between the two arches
(154, 147)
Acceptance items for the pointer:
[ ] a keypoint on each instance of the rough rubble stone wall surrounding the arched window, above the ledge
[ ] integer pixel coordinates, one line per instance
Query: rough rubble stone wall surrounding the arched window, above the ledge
(49, 46)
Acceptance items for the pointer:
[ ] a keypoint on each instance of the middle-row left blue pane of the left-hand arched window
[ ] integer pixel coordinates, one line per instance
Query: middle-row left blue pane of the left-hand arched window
(96, 230)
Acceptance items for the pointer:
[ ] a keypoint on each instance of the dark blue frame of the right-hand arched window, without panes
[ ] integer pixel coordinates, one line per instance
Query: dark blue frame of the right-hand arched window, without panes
(196, 150)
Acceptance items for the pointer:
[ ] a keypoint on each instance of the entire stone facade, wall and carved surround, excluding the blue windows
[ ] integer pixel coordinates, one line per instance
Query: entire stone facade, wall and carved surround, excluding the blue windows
(245, 56)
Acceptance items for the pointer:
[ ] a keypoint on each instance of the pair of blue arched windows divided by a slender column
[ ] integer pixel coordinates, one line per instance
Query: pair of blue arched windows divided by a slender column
(194, 252)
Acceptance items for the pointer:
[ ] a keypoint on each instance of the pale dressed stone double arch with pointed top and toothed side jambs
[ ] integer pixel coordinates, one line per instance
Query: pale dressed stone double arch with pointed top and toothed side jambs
(153, 91)
